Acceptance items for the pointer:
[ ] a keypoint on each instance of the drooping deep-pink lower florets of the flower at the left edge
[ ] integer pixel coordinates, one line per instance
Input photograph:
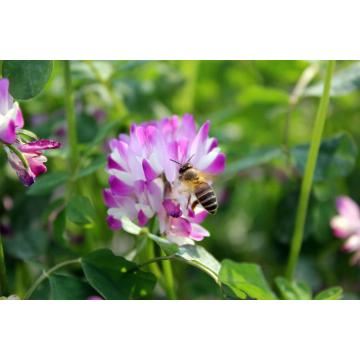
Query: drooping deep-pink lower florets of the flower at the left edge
(32, 153)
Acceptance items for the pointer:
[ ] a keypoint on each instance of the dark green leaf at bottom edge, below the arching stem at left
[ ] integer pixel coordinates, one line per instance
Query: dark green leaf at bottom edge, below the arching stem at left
(68, 287)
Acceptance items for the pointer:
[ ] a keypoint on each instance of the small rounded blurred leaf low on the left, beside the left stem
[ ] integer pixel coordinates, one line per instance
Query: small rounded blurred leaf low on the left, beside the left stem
(80, 211)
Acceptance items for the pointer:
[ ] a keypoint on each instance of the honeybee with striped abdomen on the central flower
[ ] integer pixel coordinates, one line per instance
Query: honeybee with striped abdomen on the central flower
(196, 182)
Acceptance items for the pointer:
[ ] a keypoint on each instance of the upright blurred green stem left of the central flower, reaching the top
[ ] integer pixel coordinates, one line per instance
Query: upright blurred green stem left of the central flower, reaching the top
(70, 117)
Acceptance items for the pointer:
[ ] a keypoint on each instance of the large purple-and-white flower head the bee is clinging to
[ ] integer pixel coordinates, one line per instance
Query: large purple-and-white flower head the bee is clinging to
(144, 179)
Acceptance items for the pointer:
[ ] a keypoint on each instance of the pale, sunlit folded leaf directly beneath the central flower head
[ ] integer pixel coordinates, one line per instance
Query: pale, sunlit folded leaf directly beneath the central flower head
(199, 257)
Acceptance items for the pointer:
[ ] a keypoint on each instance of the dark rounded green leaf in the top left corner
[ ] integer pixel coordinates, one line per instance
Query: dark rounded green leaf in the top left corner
(27, 77)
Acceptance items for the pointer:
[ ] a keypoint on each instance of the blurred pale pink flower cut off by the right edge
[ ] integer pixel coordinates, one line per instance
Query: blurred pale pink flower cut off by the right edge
(346, 225)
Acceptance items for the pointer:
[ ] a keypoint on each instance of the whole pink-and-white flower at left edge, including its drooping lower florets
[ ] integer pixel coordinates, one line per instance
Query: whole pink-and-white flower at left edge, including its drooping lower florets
(24, 156)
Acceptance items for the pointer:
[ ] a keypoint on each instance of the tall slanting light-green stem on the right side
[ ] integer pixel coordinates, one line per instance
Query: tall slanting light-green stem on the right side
(309, 173)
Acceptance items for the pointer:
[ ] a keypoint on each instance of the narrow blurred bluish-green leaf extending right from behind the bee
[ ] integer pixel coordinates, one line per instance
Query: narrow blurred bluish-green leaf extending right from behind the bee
(258, 157)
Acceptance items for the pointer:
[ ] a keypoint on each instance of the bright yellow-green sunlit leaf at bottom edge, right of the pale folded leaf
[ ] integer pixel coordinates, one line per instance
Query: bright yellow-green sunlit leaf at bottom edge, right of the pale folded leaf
(245, 278)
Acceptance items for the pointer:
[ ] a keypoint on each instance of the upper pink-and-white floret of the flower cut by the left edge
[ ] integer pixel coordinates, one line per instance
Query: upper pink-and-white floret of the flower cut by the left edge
(10, 114)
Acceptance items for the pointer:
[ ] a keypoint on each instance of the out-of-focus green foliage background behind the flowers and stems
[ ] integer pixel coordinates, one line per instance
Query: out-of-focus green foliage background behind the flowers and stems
(262, 129)
